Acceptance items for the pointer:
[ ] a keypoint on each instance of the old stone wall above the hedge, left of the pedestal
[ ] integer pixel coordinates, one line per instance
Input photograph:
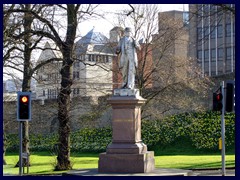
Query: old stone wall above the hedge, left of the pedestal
(83, 113)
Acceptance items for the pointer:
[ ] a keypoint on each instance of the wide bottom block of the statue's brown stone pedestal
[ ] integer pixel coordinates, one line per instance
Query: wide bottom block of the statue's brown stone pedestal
(126, 163)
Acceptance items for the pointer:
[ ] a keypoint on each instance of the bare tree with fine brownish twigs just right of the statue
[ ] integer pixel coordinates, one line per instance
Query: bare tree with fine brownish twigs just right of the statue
(166, 77)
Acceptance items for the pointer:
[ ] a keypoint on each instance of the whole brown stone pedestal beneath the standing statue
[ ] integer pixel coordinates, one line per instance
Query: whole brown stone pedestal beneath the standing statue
(127, 153)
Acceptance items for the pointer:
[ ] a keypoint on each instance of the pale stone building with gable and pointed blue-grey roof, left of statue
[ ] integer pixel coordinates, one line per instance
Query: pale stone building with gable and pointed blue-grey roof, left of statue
(91, 71)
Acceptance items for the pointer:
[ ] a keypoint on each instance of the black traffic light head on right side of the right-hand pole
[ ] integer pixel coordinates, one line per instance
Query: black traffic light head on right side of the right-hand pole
(229, 97)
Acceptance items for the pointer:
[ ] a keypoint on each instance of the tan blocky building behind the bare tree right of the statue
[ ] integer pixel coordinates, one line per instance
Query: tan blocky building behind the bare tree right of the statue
(170, 48)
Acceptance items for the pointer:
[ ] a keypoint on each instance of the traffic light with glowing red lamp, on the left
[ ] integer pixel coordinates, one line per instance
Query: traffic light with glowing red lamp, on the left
(24, 106)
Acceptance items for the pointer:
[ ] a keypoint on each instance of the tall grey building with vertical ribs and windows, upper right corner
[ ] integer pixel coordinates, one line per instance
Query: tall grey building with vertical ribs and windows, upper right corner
(212, 42)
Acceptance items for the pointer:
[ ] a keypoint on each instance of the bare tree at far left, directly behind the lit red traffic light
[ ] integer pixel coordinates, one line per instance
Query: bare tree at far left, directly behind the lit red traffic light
(18, 49)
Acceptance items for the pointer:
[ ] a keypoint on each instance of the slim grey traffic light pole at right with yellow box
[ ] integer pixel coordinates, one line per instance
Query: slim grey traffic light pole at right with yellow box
(223, 131)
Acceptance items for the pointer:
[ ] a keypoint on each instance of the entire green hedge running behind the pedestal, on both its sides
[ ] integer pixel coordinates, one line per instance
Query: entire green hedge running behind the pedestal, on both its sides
(203, 129)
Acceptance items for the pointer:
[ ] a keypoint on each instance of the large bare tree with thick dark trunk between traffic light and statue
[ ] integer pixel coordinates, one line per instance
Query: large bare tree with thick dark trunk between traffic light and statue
(49, 24)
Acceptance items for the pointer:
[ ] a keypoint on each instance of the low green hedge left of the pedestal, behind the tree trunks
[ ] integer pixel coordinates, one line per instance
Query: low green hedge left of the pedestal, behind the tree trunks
(84, 140)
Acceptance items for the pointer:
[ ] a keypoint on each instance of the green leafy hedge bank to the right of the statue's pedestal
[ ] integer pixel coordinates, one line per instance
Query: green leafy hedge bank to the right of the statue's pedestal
(202, 129)
